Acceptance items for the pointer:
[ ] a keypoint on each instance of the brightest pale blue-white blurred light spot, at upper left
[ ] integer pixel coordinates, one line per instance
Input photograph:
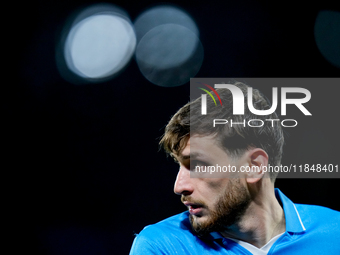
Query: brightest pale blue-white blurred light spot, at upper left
(98, 44)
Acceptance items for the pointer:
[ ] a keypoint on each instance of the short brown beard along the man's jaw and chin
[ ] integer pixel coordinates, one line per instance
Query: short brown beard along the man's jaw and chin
(227, 211)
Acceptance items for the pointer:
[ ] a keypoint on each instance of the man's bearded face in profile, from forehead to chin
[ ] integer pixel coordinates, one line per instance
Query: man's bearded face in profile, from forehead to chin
(214, 203)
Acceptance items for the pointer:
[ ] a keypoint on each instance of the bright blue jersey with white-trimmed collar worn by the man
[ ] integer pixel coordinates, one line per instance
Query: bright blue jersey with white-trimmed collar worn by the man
(310, 230)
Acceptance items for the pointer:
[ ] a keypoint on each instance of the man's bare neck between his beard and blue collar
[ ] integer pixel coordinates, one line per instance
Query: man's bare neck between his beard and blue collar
(263, 220)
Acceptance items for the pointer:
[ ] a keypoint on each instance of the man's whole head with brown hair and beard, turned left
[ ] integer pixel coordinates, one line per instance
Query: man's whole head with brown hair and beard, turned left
(217, 203)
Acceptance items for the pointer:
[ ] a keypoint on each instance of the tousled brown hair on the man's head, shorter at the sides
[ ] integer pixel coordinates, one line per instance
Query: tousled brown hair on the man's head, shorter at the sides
(236, 139)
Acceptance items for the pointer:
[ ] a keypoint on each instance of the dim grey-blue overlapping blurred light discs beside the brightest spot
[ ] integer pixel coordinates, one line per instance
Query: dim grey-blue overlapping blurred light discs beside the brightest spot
(169, 51)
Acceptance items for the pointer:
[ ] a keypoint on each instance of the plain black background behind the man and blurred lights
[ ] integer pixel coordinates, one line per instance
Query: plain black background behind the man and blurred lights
(85, 170)
